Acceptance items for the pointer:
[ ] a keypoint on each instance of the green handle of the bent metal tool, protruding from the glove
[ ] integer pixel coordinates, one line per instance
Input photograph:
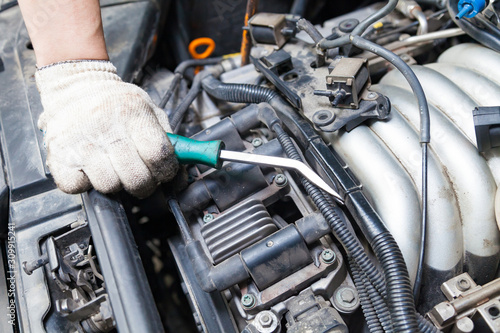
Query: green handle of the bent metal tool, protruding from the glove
(190, 151)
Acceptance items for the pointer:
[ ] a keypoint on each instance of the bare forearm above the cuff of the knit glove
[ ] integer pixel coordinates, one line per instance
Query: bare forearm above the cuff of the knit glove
(64, 29)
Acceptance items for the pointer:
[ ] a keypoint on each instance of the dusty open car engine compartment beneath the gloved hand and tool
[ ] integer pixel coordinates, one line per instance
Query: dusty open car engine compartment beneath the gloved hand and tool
(400, 119)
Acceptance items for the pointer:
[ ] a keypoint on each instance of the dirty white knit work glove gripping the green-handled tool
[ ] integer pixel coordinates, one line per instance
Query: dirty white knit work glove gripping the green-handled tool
(100, 131)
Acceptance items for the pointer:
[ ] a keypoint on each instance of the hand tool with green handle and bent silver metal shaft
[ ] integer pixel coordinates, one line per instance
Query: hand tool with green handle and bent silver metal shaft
(212, 154)
